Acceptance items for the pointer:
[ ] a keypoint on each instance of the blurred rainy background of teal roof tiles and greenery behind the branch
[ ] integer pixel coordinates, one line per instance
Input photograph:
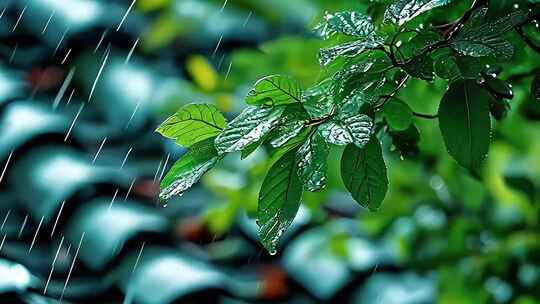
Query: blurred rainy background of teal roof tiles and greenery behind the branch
(83, 85)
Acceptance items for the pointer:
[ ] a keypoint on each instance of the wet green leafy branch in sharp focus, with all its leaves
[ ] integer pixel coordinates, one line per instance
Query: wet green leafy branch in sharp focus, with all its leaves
(355, 104)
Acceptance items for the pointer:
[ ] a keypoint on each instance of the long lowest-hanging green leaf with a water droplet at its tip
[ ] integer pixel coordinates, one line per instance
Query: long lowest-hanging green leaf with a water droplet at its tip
(279, 200)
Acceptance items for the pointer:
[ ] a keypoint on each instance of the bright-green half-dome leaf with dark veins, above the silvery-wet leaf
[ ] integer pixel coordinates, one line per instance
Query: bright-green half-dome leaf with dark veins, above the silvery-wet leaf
(274, 90)
